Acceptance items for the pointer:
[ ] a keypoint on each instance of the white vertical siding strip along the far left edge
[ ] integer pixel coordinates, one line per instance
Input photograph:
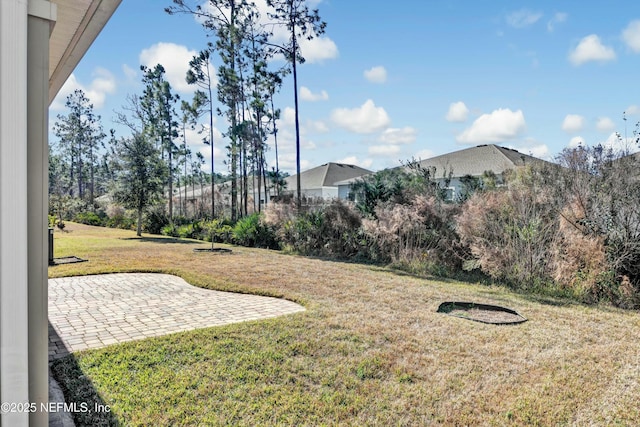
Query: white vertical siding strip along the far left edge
(14, 370)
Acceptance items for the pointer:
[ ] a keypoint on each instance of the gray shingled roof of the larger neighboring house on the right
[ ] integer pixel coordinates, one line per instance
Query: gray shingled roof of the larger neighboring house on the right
(476, 160)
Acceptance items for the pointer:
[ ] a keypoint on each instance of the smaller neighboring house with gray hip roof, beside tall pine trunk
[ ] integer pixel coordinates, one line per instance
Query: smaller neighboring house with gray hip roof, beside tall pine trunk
(328, 181)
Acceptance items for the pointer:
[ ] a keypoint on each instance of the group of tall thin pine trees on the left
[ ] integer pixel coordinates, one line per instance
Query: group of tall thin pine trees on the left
(144, 168)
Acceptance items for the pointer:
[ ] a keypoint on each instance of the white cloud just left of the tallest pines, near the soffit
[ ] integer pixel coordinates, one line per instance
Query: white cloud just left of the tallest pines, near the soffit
(175, 60)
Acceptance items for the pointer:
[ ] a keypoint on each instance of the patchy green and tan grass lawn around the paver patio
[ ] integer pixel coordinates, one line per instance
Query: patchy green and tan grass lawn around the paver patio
(370, 349)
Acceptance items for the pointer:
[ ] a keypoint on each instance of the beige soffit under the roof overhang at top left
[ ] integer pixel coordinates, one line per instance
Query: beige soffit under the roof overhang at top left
(78, 24)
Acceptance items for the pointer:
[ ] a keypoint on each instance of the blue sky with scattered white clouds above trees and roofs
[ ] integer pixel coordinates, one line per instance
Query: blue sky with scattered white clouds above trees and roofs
(389, 82)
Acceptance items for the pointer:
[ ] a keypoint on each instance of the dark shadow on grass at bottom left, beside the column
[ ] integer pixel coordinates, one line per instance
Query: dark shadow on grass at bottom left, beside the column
(79, 392)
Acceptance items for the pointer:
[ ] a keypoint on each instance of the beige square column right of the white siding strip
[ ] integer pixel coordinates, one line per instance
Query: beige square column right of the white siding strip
(42, 16)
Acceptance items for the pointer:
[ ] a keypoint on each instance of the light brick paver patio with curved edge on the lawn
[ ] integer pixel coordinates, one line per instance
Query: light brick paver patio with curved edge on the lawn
(95, 311)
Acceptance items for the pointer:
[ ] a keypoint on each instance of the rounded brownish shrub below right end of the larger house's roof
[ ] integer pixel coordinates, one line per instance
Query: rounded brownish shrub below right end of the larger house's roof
(510, 233)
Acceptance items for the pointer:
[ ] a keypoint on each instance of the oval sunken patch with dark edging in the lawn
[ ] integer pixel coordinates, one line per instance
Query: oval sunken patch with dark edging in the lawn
(484, 313)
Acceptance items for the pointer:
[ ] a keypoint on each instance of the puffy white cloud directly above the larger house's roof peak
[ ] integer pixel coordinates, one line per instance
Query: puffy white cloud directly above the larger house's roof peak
(498, 126)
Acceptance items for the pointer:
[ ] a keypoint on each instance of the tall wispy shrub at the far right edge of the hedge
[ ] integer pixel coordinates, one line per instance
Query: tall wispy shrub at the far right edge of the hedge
(597, 193)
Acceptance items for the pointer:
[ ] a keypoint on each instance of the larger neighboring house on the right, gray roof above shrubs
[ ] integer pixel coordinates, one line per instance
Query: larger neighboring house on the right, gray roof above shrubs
(451, 169)
